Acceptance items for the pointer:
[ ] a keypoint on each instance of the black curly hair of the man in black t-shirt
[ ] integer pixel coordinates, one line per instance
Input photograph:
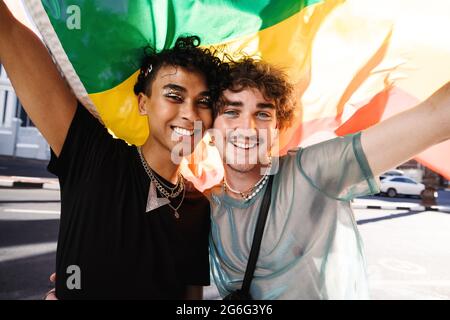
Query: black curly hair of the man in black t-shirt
(187, 54)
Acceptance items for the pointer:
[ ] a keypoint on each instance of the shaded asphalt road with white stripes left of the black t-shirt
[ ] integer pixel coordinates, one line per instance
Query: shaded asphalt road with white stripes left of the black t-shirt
(29, 222)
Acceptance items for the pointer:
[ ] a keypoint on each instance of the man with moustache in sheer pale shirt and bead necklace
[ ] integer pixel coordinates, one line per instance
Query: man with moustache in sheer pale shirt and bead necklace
(311, 248)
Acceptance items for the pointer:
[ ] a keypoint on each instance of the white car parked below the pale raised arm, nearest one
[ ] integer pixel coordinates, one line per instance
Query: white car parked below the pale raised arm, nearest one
(395, 185)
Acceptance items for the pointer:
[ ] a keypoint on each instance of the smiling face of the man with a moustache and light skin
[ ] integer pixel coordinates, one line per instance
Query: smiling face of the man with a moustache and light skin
(245, 128)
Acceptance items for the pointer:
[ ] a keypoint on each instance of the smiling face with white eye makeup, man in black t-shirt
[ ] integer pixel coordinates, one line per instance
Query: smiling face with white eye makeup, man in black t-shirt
(178, 108)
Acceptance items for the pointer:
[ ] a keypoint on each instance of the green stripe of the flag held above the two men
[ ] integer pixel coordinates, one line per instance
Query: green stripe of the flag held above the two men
(107, 48)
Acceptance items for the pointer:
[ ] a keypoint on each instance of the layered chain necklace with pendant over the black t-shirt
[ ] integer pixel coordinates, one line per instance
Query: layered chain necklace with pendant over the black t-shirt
(167, 191)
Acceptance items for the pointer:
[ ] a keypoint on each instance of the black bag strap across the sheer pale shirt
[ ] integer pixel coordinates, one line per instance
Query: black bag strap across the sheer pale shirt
(257, 237)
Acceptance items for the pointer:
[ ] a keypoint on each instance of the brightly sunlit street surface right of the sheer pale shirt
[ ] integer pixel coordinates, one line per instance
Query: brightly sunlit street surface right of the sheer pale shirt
(407, 253)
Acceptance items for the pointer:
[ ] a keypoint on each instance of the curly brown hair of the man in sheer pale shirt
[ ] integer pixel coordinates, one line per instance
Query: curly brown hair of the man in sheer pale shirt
(271, 81)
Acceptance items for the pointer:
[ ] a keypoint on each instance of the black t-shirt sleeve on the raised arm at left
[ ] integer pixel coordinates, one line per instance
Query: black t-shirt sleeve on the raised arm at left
(86, 146)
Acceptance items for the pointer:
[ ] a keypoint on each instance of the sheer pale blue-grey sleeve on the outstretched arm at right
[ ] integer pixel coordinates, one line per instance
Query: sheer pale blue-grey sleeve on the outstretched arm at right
(339, 168)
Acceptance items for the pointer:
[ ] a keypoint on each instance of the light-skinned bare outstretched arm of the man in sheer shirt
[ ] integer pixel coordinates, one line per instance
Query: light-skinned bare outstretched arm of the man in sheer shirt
(398, 139)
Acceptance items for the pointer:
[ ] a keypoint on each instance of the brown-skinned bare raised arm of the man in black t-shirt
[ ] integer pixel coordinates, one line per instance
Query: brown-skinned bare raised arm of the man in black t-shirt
(42, 91)
